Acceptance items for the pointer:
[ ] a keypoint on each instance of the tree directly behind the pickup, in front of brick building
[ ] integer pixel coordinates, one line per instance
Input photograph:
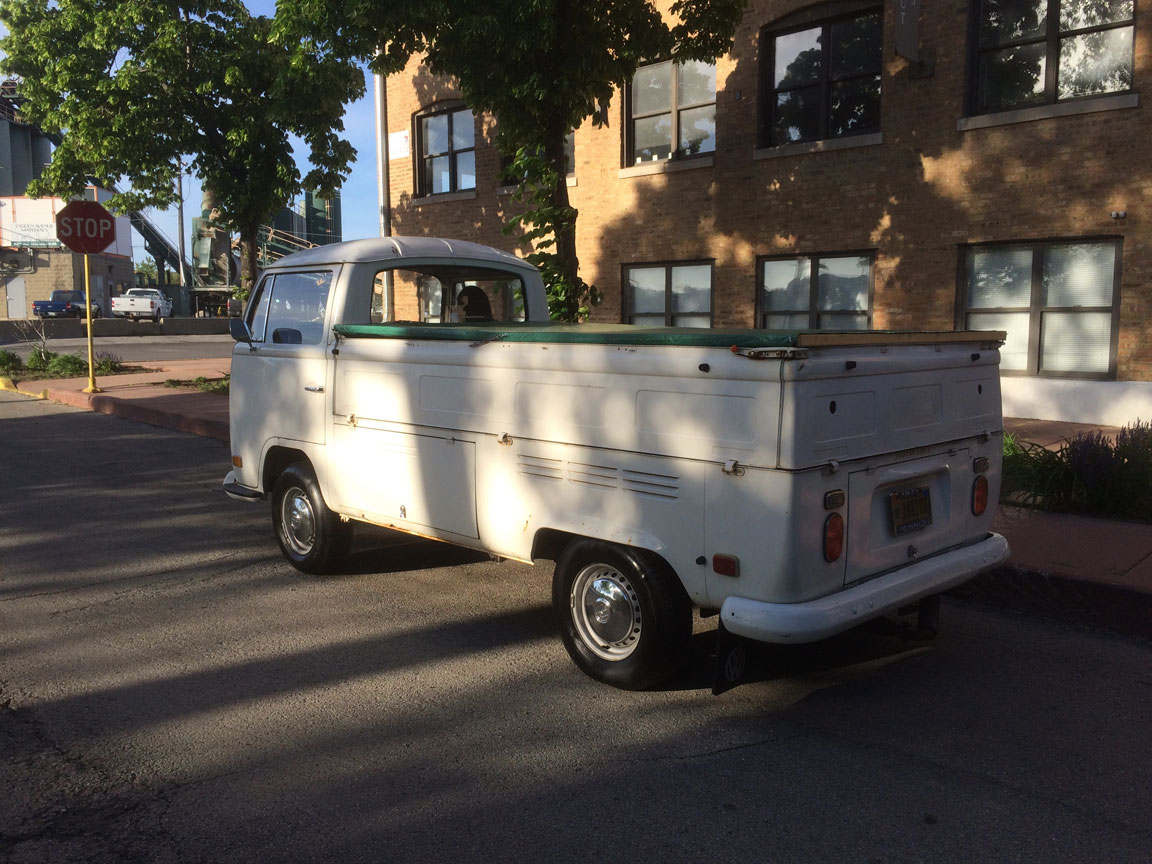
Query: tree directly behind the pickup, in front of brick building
(541, 67)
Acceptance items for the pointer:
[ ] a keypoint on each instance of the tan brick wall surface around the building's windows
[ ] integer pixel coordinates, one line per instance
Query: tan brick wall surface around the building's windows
(915, 200)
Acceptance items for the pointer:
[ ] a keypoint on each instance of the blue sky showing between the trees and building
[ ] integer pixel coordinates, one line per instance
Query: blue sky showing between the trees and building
(358, 198)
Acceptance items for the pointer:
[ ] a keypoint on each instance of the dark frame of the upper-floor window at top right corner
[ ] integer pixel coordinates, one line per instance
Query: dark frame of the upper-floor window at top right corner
(1051, 40)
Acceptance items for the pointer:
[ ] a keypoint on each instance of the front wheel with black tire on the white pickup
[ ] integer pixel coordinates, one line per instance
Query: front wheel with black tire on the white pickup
(312, 536)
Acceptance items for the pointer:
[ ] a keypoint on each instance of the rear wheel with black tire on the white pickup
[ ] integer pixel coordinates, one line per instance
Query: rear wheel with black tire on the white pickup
(623, 615)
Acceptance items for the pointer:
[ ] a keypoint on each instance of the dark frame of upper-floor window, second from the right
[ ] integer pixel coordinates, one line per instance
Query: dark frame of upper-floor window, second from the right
(825, 18)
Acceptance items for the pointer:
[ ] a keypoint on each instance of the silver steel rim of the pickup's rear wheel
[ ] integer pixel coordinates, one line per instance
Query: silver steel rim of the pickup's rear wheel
(607, 612)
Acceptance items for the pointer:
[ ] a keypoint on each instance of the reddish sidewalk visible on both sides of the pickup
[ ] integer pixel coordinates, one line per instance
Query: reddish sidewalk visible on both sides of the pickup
(1088, 571)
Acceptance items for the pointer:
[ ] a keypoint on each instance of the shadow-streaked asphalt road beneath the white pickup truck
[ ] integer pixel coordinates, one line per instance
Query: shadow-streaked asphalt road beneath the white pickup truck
(172, 692)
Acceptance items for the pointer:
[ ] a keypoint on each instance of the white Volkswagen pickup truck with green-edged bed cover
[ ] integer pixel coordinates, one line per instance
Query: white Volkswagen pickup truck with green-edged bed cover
(794, 483)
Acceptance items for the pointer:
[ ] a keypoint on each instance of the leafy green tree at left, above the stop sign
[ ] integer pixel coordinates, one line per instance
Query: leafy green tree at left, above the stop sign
(134, 87)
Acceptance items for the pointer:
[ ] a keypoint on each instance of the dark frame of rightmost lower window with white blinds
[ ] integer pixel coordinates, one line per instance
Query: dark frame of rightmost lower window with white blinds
(1037, 310)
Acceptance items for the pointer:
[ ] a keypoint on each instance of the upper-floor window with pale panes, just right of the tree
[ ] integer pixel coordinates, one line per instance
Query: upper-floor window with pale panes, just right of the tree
(672, 112)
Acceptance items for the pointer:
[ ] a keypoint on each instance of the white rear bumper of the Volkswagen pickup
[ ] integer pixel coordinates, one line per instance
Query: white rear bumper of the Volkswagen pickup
(786, 623)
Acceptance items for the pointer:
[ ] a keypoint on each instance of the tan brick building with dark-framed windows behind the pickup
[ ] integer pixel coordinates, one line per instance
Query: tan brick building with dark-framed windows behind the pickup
(999, 179)
